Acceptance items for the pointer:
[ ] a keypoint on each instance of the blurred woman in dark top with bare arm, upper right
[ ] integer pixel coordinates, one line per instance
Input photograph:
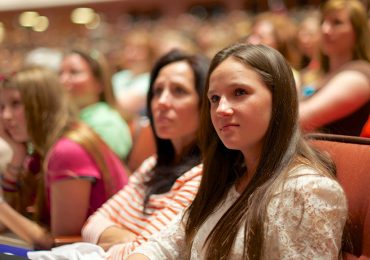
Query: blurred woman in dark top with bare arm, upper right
(339, 101)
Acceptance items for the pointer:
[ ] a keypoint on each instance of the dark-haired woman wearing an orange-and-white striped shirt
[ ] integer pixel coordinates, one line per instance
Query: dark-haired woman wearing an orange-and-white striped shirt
(165, 183)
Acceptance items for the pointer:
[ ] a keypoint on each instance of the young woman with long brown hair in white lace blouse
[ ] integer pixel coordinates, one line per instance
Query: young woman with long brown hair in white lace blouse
(265, 193)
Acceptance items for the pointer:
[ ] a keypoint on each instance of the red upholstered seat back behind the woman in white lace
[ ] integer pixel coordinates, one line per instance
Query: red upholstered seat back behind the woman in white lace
(352, 158)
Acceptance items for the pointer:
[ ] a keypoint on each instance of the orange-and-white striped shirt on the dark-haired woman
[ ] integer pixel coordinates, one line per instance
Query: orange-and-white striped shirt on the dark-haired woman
(125, 209)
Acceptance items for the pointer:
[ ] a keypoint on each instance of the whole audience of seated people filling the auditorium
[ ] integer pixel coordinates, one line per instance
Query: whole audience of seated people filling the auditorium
(73, 161)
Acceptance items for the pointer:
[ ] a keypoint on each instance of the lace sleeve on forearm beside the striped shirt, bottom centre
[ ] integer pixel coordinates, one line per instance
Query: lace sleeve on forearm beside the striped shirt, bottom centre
(168, 244)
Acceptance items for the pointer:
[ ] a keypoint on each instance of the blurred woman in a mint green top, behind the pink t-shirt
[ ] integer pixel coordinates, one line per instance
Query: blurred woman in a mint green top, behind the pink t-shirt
(87, 78)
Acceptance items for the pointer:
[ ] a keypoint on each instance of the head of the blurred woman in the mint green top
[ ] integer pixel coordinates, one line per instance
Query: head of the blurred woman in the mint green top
(86, 76)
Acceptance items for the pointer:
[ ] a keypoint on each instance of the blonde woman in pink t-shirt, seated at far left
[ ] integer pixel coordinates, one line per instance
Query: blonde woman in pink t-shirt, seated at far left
(79, 171)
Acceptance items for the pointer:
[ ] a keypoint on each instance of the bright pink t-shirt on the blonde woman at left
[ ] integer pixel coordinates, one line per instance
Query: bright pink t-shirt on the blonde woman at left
(68, 159)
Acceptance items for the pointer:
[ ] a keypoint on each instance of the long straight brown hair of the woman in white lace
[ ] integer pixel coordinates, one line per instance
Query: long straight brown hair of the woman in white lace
(283, 149)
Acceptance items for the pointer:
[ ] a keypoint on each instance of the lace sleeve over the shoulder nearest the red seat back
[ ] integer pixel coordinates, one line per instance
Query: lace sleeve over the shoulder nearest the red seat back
(306, 220)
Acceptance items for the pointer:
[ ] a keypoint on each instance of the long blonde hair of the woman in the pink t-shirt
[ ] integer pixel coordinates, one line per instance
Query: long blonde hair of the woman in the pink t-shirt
(47, 109)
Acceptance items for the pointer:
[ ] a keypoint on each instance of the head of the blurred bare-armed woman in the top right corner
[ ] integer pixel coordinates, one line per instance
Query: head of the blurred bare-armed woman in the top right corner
(344, 31)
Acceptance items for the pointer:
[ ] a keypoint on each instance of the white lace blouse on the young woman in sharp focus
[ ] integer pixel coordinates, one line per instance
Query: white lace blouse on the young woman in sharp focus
(305, 220)
